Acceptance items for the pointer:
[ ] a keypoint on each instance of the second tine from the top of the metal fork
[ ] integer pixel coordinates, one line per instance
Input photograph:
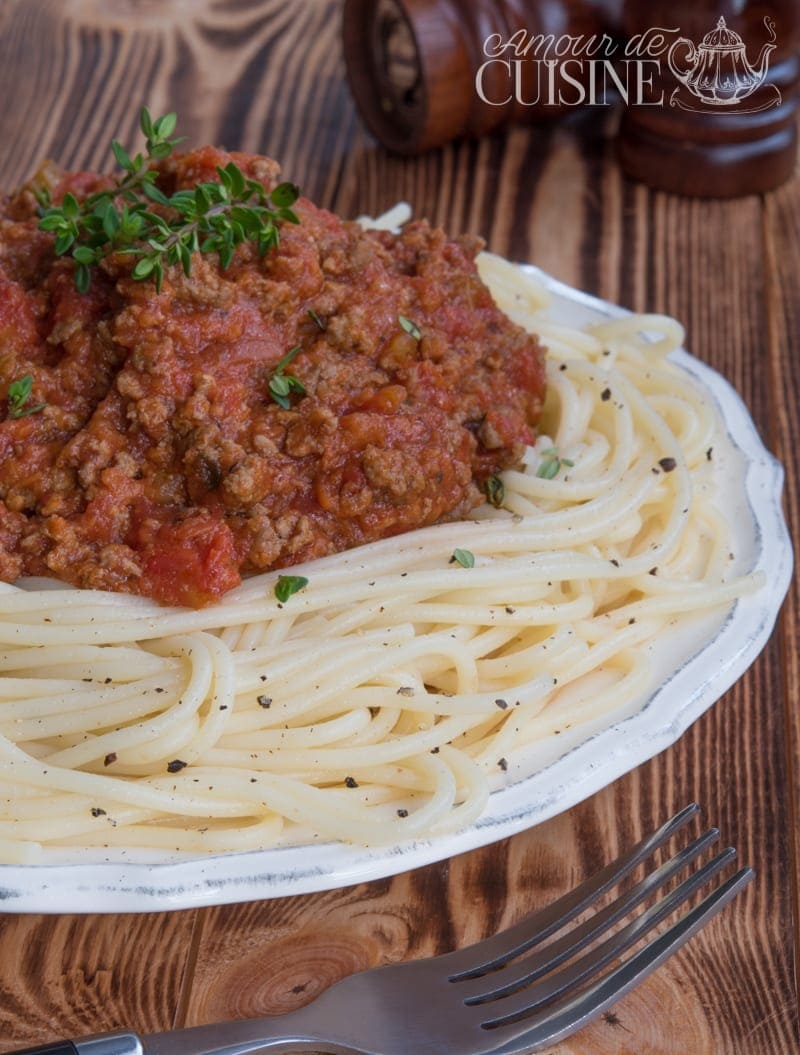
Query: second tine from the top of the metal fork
(548, 960)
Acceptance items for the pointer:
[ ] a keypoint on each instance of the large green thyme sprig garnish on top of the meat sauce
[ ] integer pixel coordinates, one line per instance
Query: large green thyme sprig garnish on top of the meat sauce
(214, 217)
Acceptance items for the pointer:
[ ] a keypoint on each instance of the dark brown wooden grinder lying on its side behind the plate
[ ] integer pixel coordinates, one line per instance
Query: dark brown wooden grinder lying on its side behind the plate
(423, 75)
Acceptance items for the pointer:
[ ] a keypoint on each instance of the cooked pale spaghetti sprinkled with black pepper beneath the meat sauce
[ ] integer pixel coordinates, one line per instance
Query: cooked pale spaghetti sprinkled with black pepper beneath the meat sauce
(388, 698)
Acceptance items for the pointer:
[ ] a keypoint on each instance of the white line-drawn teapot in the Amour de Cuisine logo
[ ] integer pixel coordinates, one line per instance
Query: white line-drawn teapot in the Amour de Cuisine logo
(718, 70)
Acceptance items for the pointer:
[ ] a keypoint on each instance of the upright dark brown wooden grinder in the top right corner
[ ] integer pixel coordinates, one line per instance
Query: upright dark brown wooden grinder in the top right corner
(728, 122)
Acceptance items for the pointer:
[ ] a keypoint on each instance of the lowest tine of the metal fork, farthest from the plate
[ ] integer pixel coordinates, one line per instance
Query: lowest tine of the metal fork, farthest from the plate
(548, 1028)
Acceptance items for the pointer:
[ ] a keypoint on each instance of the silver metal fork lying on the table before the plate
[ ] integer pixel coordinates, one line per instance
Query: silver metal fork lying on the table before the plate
(499, 998)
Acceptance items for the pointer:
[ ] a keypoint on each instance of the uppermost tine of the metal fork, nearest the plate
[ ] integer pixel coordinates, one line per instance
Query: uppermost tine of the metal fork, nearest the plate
(496, 952)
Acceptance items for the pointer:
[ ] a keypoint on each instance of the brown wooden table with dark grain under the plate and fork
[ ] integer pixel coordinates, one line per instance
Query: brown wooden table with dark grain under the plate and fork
(266, 75)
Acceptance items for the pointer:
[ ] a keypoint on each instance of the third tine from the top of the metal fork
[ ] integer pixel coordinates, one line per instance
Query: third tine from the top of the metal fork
(594, 962)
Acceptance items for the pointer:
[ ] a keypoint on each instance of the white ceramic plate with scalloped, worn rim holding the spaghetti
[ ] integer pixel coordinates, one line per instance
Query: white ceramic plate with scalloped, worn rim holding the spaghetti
(693, 669)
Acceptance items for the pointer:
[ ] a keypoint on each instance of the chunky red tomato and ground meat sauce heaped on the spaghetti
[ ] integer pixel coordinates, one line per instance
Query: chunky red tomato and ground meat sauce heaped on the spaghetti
(162, 466)
